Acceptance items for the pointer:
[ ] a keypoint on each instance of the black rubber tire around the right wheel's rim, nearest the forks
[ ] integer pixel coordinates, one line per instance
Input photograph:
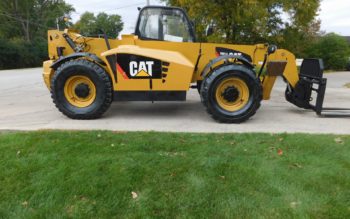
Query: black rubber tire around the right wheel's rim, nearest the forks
(212, 81)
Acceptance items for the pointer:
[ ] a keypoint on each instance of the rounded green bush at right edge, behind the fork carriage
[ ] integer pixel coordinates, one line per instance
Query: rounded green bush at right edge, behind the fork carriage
(333, 49)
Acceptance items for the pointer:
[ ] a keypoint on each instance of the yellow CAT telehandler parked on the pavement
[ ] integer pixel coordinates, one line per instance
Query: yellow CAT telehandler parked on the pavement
(162, 60)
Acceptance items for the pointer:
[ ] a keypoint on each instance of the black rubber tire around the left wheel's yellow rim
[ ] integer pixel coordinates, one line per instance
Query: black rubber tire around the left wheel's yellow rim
(101, 80)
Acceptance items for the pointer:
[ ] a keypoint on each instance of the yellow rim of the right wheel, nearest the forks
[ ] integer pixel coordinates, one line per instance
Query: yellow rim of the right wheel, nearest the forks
(232, 94)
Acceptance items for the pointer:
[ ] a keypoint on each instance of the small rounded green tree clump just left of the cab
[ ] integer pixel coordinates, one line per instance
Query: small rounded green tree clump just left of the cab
(89, 24)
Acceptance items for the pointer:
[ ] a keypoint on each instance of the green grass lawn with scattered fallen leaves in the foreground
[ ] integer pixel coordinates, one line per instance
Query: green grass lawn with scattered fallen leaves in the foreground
(52, 174)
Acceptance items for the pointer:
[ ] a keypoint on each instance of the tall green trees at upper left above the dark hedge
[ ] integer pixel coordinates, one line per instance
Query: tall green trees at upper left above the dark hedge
(29, 19)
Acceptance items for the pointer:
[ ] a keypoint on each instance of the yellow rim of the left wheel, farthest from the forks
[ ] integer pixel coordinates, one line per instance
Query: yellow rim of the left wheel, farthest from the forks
(80, 98)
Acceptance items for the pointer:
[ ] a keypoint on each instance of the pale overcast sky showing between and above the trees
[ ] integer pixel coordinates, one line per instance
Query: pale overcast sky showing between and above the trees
(335, 14)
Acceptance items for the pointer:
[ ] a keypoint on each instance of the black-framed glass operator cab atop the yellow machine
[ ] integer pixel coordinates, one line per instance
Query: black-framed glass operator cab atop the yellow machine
(164, 24)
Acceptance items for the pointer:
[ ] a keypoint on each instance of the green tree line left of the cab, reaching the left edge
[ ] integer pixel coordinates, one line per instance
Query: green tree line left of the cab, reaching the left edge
(24, 25)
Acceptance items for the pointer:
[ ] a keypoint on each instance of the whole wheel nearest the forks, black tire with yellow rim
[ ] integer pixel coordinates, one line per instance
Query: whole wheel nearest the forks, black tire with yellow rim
(231, 94)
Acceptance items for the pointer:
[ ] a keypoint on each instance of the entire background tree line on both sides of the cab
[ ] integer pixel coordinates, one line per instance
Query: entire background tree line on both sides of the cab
(292, 25)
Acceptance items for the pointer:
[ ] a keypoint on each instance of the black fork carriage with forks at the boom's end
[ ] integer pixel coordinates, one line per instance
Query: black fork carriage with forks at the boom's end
(311, 81)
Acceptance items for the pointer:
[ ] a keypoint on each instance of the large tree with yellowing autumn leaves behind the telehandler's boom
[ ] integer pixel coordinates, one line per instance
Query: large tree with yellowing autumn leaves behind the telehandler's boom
(253, 21)
